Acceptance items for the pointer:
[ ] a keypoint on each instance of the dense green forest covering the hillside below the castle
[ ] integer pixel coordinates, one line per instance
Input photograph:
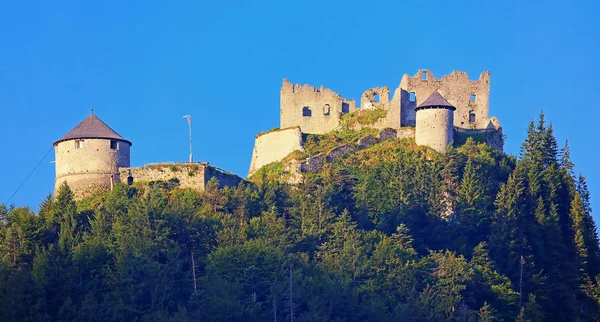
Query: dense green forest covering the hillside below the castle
(395, 232)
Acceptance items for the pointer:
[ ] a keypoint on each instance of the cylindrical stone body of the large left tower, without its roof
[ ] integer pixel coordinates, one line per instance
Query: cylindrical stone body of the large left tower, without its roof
(89, 169)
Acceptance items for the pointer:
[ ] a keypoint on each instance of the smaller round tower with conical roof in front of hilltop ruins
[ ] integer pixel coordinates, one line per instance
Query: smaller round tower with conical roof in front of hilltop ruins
(434, 122)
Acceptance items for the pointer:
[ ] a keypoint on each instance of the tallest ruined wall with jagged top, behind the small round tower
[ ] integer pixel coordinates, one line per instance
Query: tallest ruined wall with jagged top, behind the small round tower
(466, 95)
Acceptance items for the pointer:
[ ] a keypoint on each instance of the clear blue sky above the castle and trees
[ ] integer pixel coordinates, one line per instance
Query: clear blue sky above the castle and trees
(145, 64)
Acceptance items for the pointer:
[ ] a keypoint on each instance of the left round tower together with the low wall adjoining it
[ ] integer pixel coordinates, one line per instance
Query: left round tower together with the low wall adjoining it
(92, 158)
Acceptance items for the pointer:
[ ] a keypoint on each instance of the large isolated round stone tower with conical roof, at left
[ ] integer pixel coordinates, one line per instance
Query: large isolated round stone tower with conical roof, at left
(88, 158)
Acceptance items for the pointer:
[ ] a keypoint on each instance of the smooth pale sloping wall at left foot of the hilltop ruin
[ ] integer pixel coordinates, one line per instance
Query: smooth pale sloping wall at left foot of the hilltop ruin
(274, 146)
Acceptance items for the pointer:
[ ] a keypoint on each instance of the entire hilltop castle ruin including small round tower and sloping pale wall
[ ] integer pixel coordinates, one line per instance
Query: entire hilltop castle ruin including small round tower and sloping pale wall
(429, 109)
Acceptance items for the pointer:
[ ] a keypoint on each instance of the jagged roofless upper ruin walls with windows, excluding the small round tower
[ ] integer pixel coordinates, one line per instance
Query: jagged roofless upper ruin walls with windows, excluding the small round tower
(318, 110)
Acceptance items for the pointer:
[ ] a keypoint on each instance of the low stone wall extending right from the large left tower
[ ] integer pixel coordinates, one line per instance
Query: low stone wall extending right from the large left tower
(194, 175)
